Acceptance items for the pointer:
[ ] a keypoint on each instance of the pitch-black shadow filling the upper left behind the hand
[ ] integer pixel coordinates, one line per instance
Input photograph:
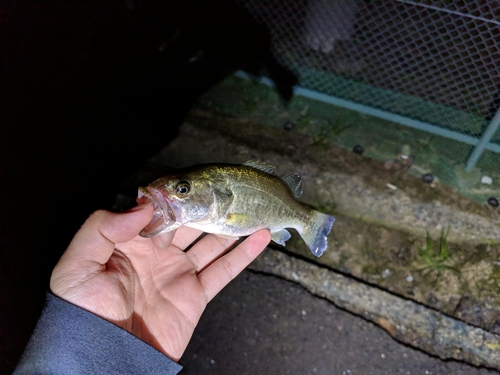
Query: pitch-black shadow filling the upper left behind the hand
(89, 91)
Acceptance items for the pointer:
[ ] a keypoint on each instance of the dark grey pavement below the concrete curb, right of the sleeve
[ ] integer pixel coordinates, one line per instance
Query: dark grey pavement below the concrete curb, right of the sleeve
(261, 324)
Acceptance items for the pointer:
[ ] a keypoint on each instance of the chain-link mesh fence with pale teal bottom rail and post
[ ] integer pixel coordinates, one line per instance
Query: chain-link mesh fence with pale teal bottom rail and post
(434, 65)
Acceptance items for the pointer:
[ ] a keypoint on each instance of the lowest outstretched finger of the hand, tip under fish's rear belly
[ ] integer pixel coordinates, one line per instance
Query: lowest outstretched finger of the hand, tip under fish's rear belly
(216, 276)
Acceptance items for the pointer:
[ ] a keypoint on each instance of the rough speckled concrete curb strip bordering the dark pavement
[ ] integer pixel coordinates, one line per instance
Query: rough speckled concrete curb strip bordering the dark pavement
(407, 321)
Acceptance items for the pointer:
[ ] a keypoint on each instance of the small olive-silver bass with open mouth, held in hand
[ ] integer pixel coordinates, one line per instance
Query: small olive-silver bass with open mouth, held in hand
(234, 200)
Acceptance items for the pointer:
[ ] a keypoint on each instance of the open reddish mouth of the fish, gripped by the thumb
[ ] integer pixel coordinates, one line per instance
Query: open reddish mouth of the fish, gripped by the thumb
(166, 215)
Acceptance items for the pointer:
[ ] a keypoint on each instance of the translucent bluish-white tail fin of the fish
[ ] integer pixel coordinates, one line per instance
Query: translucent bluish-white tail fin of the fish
(318, 228)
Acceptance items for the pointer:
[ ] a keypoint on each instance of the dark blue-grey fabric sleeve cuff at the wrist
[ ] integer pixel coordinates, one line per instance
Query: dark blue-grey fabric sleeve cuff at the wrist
(71, 340)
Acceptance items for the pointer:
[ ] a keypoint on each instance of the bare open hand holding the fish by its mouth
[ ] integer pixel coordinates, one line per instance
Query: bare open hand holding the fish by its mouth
(149, 286)
